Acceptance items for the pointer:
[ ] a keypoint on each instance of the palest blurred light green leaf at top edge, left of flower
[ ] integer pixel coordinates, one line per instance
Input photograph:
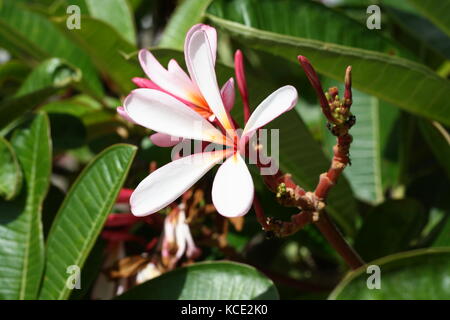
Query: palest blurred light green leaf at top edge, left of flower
(117, 14)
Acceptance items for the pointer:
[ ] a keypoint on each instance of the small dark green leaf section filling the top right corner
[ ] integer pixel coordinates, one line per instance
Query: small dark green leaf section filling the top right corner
(437, 11)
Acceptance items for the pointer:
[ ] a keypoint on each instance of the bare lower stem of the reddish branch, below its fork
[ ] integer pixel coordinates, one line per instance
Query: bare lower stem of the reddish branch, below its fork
(337, 241)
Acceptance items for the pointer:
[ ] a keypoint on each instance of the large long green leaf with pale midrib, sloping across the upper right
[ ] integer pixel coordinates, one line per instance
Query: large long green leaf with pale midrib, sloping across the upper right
(376, 70)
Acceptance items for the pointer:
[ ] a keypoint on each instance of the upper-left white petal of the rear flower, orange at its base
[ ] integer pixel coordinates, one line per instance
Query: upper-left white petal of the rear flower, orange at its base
(172, 81)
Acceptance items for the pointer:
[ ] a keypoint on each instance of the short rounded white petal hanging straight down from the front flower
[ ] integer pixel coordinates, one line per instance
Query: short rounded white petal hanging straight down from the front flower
(232, 191)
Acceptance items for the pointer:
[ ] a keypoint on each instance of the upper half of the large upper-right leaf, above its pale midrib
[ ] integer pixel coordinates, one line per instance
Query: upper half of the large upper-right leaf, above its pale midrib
(303, 17)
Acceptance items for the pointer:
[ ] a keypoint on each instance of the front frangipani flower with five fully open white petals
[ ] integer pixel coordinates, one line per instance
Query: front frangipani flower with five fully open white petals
(233, 190)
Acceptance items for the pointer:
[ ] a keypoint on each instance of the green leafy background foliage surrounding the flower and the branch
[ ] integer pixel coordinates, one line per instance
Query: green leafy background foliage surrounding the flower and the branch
(65, 153)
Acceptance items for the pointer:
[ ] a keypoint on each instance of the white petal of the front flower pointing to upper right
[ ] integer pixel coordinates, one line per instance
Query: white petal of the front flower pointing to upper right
(280, 101)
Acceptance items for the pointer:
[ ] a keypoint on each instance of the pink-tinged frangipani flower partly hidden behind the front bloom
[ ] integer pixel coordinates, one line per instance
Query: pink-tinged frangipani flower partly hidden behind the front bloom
(175, 82)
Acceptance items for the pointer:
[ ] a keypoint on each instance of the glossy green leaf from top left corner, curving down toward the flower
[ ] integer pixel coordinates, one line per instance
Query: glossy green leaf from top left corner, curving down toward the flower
(31, 36)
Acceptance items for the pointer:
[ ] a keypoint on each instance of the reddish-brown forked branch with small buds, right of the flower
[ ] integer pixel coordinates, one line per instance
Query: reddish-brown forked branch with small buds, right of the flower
(313, 204)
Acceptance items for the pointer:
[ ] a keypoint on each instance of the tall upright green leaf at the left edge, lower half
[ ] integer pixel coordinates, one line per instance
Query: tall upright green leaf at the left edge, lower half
(22, 243)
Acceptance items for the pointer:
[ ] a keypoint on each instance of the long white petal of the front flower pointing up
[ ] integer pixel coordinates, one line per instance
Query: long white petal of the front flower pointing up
(201, 67)
